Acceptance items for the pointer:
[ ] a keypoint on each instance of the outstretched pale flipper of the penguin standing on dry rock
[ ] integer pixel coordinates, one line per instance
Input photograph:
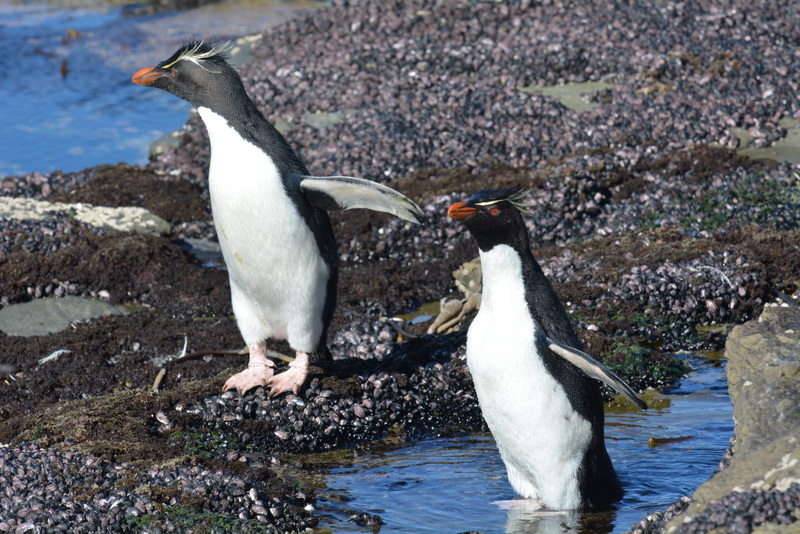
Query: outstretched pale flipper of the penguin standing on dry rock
(335, 193)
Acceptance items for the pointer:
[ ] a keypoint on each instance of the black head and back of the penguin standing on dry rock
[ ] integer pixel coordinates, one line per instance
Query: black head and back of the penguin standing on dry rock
(200, 74)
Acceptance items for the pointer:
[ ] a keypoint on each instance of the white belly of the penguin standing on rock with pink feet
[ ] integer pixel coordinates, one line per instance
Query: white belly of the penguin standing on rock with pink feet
(278, 277)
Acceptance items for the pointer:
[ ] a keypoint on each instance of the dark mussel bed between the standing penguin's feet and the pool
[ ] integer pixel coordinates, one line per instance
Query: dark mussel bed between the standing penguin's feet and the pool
(422, 399)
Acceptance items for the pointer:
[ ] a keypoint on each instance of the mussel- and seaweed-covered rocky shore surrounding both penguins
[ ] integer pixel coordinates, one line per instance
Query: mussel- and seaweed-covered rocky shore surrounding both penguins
(645, 218)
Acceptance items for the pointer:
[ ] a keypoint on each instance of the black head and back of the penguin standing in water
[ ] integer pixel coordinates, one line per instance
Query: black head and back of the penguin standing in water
(497, 220)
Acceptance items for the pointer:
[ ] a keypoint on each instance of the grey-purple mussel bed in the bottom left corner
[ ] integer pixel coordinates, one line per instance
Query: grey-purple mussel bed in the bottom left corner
(52, 490)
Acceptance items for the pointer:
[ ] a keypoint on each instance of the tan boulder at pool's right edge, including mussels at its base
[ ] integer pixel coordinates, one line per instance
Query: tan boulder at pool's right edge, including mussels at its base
(756, 487)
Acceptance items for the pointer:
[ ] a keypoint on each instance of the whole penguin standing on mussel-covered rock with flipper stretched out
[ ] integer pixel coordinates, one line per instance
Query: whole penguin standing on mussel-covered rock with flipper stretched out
(270, 215)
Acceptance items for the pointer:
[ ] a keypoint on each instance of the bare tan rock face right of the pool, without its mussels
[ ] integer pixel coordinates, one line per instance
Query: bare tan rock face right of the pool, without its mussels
(764, 383)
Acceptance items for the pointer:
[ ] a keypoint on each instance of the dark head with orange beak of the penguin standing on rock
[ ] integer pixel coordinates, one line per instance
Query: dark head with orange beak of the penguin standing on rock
(198, 73)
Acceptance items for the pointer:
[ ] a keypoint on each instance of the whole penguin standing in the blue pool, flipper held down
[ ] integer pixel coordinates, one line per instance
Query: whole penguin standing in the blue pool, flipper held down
(534, 384)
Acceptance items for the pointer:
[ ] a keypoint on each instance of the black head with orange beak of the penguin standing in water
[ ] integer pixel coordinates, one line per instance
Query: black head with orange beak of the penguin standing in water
(494, 217)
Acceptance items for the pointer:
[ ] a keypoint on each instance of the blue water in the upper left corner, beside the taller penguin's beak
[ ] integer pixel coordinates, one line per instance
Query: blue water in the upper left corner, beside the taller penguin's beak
(88, 115)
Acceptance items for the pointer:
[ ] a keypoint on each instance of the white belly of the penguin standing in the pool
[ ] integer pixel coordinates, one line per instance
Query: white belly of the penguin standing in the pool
(541, 439)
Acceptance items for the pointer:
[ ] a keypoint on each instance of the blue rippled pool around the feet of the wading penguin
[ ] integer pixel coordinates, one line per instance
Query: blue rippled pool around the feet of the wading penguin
(452, 485)
